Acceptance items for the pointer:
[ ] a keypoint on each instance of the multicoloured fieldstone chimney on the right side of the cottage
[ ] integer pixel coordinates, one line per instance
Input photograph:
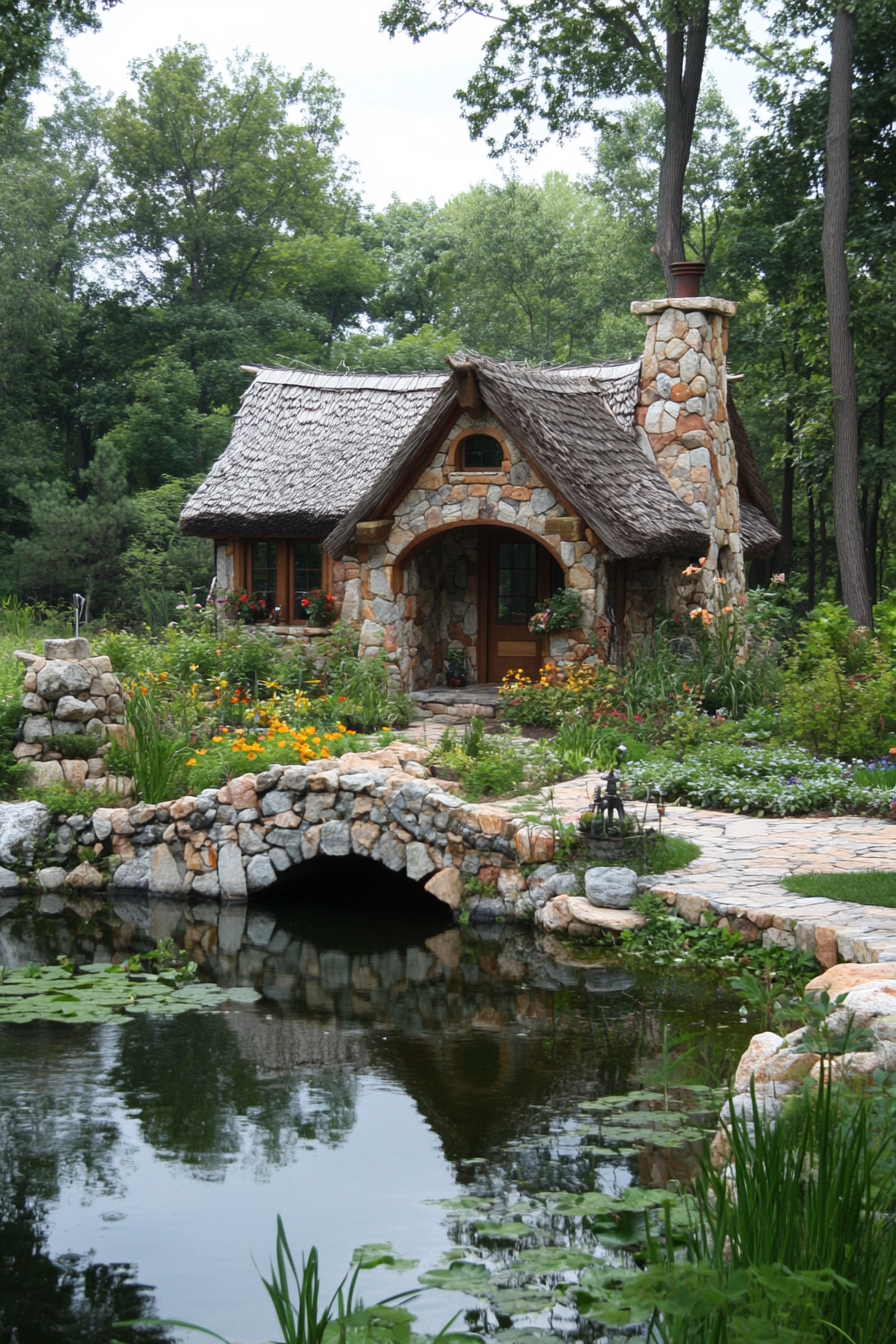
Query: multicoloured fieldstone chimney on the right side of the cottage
(683, 421)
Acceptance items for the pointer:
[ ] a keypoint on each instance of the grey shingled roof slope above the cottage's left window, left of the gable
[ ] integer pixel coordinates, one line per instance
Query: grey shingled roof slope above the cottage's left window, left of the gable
(306, 448)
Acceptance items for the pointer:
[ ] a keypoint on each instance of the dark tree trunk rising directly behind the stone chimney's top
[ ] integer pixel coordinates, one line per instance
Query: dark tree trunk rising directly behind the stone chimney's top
(686, 54)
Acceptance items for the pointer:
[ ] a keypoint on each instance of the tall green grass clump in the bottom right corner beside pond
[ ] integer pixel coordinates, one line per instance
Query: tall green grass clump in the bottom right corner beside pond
(797, 1240)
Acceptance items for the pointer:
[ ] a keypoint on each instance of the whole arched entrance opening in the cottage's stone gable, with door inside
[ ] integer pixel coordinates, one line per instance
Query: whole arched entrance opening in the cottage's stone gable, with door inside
(476, 587)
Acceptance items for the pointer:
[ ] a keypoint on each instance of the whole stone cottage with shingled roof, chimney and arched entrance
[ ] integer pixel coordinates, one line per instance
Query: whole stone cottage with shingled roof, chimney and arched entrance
(440, 509)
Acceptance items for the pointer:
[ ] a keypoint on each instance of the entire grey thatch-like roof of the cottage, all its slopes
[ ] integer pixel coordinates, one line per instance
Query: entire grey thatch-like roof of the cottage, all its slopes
(315, 454)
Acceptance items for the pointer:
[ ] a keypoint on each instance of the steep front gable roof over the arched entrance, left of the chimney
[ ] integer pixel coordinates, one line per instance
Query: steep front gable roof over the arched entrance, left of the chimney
(561, 421)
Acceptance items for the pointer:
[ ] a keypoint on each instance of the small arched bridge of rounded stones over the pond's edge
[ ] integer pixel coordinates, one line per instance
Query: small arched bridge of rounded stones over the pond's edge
(382, 806)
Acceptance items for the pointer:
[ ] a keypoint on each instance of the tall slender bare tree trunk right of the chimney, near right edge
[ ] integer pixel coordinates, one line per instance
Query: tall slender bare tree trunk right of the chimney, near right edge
(843, 357)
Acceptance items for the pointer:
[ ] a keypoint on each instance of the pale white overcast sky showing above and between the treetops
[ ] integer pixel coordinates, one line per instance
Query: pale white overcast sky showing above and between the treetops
(404, 124)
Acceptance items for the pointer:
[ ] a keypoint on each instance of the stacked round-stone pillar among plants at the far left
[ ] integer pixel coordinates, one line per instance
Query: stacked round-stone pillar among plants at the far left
(71, 694)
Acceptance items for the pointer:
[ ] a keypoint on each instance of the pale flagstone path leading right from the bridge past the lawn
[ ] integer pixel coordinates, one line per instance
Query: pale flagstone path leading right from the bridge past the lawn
(744, 861)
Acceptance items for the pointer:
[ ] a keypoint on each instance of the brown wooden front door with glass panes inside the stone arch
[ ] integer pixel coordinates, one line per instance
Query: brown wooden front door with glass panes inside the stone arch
(515, 576)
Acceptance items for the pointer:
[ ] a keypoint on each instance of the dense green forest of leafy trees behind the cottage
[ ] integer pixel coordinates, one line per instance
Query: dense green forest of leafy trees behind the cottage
(155, 245)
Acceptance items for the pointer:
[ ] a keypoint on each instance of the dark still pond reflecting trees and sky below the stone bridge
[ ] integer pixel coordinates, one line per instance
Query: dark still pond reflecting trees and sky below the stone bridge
(400, 1081)
